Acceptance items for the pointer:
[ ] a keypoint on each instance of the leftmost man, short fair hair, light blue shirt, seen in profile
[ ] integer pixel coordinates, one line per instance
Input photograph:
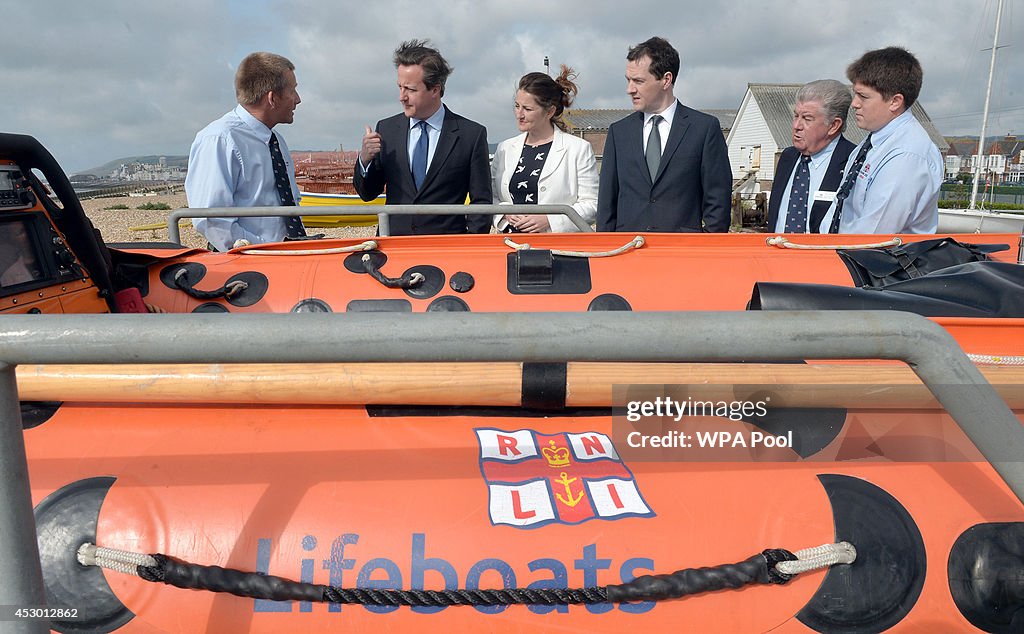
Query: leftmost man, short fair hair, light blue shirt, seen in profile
(230, 164)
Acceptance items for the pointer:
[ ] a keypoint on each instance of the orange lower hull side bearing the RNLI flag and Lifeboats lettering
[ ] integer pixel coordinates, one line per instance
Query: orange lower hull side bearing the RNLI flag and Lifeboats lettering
(352, 497)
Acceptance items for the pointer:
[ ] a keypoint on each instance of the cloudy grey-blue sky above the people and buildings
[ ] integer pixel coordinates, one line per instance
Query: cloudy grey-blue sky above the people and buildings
(103, 79)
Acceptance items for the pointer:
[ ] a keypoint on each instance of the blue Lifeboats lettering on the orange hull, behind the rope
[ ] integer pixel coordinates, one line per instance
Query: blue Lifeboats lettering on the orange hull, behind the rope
(383, 573)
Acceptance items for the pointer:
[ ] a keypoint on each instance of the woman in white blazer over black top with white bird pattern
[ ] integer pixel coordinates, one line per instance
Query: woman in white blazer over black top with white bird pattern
(544, 165)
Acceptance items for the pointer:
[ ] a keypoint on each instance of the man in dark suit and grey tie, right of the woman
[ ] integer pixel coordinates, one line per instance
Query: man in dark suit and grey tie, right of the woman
(666, 167)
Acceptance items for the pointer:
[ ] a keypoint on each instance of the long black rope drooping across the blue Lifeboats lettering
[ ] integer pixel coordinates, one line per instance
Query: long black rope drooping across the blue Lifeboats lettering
(758, 570)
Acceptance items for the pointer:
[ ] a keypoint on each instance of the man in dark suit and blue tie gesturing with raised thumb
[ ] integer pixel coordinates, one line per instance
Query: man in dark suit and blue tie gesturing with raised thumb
(428, 155)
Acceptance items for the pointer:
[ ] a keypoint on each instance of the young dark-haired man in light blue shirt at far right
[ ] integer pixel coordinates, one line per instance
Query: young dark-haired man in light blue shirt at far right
(892, 185)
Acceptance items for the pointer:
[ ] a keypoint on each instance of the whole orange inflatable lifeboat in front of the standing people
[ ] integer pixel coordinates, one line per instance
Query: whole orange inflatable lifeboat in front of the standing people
(630, 453)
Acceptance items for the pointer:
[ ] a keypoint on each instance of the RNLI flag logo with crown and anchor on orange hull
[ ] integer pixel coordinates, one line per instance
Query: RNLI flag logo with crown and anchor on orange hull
(535, 480)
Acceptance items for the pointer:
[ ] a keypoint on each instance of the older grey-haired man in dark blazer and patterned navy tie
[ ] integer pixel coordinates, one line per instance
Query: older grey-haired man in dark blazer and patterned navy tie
(810, 172)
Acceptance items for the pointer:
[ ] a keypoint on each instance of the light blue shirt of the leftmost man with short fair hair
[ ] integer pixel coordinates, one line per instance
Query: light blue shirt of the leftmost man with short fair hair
(230, 166)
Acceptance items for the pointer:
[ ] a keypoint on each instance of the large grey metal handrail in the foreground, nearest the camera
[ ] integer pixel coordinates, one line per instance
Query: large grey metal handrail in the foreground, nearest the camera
(929, 351)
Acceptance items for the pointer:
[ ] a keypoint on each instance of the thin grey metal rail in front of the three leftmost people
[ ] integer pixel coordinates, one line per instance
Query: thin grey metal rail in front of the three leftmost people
(383, 213)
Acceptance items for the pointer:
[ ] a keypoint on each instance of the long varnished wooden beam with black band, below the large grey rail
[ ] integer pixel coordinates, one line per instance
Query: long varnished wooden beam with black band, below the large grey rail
(588, 385)
